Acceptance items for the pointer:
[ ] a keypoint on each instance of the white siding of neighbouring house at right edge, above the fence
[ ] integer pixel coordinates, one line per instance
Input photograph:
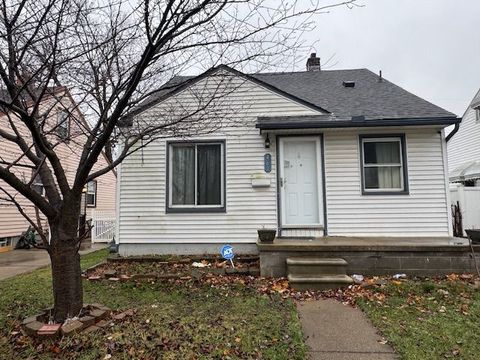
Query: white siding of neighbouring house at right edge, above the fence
(464, 146)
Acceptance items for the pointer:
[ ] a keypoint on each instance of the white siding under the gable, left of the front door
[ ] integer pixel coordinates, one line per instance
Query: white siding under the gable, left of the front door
(142, 215)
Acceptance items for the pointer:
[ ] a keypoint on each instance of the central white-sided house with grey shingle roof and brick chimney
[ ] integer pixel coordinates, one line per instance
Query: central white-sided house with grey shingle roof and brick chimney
(312, 153)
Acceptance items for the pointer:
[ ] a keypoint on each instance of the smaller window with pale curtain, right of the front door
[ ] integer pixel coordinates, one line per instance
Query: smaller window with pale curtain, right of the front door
(383, 165)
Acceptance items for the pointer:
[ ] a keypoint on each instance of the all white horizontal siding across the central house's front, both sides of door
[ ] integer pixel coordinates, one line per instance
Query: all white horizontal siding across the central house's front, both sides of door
(142, 183)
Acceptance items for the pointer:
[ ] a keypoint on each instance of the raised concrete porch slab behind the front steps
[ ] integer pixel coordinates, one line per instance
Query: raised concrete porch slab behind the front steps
(422, 256)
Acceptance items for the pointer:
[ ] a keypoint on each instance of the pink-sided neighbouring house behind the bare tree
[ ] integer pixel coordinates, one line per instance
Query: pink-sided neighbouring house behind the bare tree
(100, 194)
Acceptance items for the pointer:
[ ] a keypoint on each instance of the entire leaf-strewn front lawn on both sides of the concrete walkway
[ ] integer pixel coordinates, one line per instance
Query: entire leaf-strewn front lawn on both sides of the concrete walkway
(242, 318)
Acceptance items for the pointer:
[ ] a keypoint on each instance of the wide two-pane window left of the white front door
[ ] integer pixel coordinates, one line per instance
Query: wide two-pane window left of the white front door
(196, 176)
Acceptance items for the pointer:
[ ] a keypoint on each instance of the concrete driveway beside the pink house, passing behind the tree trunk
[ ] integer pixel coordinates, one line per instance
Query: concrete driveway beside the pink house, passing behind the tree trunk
(17, 262)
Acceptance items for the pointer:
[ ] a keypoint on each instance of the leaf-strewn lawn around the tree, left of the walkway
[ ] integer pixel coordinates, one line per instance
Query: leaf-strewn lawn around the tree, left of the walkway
(173, 321)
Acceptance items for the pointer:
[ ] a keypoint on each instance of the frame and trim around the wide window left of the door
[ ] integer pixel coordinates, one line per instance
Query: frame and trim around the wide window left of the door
(222, 175)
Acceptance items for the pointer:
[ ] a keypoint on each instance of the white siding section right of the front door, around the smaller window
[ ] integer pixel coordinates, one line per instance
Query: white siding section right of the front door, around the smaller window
(423, 212)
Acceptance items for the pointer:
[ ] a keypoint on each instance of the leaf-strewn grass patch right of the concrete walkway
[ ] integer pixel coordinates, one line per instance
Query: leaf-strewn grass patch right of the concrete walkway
(428, 319)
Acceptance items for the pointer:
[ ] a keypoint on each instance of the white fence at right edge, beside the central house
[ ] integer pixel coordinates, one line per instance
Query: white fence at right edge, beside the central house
(469, 201)
